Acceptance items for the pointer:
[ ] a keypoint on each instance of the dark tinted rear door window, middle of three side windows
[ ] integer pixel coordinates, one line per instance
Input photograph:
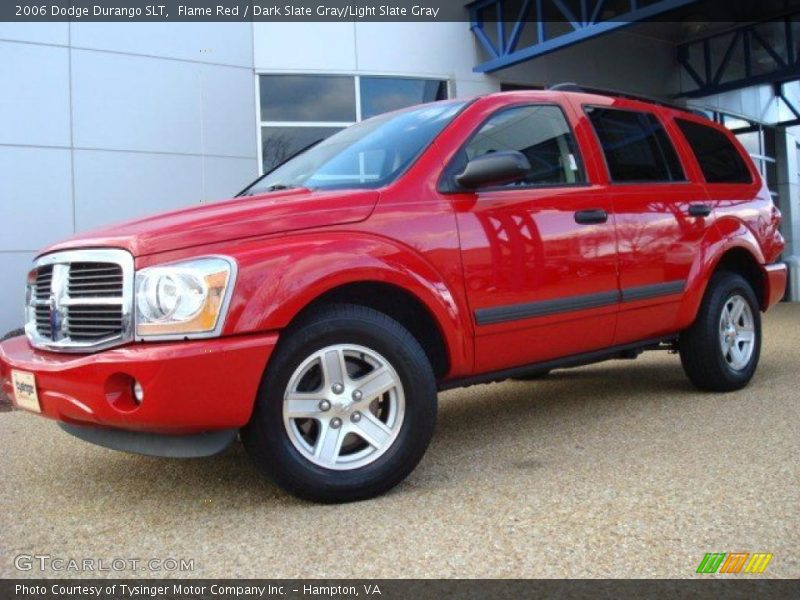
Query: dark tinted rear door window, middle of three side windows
(636, 147)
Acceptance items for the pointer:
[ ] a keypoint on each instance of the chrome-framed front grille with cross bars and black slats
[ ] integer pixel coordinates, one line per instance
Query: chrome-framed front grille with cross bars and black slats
(80, 300)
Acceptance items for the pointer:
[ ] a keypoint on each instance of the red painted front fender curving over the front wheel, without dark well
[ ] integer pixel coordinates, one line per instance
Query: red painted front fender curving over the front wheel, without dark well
(279, 279)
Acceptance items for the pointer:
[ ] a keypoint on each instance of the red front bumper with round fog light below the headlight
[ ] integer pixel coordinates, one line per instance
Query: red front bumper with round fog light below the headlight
(189, 387)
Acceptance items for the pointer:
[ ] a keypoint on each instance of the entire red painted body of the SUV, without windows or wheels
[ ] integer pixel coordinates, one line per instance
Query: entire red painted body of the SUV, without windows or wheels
(456, 253)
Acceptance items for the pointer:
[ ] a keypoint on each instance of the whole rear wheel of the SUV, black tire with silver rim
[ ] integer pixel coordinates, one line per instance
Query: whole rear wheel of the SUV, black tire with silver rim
(715, 353)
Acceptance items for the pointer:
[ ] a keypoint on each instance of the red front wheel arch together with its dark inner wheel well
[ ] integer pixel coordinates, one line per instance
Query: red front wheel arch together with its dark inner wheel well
(305, 272)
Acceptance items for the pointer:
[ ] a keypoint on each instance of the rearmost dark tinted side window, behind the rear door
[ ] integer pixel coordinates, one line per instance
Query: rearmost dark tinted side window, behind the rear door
(719, 160)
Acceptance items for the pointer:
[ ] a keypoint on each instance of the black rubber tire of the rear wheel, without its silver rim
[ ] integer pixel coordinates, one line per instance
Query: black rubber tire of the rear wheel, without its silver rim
(701, 352)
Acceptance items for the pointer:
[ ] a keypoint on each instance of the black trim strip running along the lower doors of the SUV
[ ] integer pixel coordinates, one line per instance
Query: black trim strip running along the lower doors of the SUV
(527, 310)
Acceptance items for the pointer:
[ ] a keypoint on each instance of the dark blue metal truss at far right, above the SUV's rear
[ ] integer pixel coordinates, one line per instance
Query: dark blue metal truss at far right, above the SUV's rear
(746, 42)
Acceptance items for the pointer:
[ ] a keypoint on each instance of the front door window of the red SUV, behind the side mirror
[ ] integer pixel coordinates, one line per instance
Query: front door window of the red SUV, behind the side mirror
(541, 133)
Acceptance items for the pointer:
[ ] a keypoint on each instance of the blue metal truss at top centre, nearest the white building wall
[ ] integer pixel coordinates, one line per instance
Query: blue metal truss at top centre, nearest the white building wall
(586, 25)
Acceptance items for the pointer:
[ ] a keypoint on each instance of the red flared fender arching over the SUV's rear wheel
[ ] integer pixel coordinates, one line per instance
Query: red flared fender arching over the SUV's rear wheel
(724, 236)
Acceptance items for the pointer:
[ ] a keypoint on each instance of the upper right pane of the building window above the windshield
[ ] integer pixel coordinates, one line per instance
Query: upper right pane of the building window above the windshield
(384, 94)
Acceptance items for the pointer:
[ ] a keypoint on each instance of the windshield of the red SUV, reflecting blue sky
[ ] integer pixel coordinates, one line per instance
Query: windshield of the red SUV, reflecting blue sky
(369, 154)
